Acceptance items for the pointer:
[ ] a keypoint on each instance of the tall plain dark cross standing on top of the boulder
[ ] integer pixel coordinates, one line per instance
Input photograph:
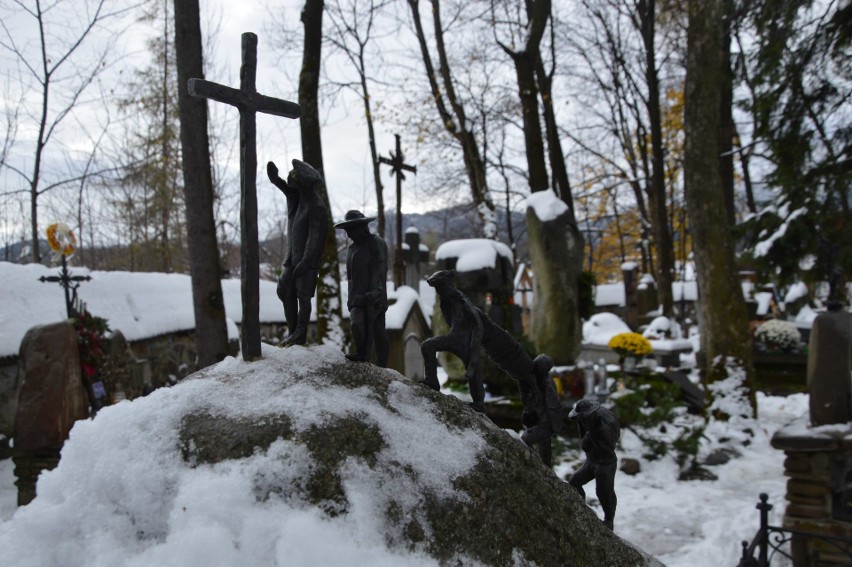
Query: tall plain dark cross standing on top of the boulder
(249, 102)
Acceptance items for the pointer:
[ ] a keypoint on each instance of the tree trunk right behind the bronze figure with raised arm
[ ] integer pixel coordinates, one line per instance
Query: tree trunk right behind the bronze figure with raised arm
(328, 287)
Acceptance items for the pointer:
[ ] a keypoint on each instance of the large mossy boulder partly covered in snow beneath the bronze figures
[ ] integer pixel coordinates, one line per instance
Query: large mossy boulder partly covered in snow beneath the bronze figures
(303, 458)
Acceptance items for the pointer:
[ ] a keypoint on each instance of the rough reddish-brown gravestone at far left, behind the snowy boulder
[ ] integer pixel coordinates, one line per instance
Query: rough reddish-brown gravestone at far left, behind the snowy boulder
(51, 399)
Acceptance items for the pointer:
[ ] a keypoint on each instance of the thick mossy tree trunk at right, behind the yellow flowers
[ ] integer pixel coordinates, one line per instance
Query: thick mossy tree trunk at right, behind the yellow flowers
(723, 310)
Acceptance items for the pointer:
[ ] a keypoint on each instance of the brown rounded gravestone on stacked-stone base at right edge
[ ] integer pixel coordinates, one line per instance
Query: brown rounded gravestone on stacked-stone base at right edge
(829, 360)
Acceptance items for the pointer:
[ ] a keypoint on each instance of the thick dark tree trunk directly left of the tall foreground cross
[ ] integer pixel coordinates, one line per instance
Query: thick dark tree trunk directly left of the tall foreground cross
(211, 334)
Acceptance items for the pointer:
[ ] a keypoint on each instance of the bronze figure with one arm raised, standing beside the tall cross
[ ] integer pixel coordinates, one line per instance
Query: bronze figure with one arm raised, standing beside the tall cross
(307, 225)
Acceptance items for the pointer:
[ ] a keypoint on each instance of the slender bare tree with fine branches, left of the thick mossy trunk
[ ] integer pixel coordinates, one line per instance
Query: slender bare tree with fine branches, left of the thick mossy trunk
(622, 62)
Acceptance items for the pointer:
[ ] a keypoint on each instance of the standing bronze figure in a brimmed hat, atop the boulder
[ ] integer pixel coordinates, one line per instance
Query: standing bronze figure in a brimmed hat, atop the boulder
(367, 272)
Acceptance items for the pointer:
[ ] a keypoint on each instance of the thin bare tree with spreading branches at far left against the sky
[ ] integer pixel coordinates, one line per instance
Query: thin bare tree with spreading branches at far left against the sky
(63, 65)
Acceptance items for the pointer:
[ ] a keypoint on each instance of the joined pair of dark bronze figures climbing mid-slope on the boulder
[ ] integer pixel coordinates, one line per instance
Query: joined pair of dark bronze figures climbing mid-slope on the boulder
(471, 329)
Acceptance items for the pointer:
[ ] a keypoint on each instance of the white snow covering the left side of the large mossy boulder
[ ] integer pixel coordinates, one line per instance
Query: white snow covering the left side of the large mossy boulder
(123, 495)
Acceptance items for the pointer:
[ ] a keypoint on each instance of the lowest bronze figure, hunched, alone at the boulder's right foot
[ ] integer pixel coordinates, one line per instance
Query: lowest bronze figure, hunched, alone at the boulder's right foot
(600, 432)
